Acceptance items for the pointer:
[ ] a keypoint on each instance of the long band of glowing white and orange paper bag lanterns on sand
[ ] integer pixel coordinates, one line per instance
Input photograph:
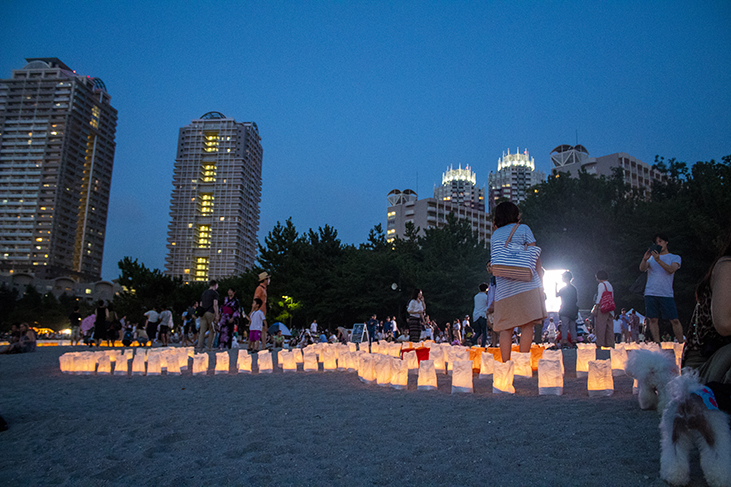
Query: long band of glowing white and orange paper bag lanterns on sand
(382, 365)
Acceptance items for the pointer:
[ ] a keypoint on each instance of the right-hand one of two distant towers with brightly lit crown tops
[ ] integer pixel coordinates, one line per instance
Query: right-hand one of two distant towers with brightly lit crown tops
(516, 173)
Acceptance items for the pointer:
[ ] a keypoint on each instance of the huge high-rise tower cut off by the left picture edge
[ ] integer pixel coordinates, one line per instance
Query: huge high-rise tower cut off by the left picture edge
(56, 158)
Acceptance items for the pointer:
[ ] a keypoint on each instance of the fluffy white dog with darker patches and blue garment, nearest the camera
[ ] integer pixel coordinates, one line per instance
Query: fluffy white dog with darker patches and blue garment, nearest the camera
(690, 419)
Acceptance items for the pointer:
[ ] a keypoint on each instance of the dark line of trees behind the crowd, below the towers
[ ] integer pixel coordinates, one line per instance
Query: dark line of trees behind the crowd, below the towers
(583, 224)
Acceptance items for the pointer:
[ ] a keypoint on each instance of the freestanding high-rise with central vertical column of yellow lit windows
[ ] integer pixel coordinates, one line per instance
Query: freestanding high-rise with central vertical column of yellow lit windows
(214, 207)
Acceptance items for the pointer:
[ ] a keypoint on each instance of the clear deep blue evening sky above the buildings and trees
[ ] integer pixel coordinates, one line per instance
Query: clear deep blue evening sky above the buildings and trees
(354, 99)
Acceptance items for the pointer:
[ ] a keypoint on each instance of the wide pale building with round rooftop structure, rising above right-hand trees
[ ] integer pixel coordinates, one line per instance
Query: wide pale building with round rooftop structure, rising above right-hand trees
(638, 174)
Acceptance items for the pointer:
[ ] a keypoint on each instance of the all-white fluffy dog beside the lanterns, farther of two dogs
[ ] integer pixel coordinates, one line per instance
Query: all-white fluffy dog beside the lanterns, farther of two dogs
(652, 370)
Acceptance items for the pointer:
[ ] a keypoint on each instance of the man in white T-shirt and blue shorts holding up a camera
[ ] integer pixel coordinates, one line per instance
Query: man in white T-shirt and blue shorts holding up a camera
(661, 265)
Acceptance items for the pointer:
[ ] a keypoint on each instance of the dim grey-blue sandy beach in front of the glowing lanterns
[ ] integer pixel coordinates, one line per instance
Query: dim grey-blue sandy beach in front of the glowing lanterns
(316, 428)
